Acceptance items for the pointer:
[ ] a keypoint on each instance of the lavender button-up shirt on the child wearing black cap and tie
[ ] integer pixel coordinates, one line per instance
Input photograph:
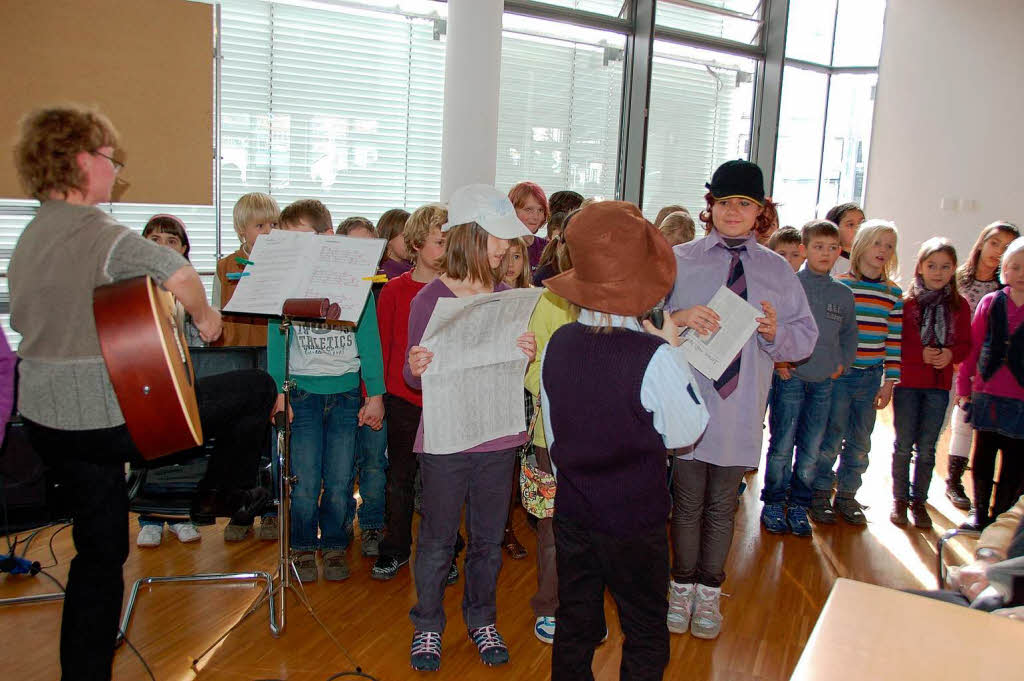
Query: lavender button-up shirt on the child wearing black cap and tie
(735, 431)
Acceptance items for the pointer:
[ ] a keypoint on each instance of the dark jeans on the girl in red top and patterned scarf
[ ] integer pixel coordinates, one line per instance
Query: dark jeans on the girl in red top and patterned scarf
(918, 417)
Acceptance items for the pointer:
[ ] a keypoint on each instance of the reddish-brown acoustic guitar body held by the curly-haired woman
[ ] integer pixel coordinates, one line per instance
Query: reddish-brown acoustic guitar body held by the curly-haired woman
(150, 366)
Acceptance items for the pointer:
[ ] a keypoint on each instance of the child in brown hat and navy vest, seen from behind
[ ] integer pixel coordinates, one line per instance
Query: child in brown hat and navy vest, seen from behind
(612, 499)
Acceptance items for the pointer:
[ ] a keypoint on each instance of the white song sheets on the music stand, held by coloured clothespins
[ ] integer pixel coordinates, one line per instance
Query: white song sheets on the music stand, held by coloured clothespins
(304, 265)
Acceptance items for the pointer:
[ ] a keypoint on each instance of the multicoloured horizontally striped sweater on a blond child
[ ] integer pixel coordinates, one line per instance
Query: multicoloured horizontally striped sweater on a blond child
(880, 324)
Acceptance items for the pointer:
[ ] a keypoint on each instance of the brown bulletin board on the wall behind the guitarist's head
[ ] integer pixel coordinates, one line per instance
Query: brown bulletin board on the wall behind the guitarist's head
(148, 65)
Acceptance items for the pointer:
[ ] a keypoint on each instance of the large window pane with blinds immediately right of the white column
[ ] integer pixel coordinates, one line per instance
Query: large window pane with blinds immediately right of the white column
(560, 110)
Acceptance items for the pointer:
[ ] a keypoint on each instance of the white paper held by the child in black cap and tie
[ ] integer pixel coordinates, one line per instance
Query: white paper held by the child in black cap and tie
(712, 354)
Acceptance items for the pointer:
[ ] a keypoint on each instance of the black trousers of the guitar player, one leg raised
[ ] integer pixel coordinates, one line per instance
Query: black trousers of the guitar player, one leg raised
(90, 464)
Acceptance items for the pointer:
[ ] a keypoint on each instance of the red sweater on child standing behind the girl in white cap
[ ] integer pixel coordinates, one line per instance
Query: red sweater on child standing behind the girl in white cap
(393, 319)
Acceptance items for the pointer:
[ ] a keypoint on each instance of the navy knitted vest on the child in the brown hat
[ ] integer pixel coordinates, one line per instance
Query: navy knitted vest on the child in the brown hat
(612, 462)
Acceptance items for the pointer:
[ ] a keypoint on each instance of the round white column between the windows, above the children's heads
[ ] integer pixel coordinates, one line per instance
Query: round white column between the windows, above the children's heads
(473, 86)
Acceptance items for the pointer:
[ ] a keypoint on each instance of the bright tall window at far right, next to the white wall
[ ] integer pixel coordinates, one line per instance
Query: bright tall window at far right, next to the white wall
(828, 105)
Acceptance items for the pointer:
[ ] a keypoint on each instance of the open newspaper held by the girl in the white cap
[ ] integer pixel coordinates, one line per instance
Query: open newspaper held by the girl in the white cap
(474, 390)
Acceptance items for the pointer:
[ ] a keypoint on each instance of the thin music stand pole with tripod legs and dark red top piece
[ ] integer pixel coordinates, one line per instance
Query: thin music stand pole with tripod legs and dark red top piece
(287, 576)
